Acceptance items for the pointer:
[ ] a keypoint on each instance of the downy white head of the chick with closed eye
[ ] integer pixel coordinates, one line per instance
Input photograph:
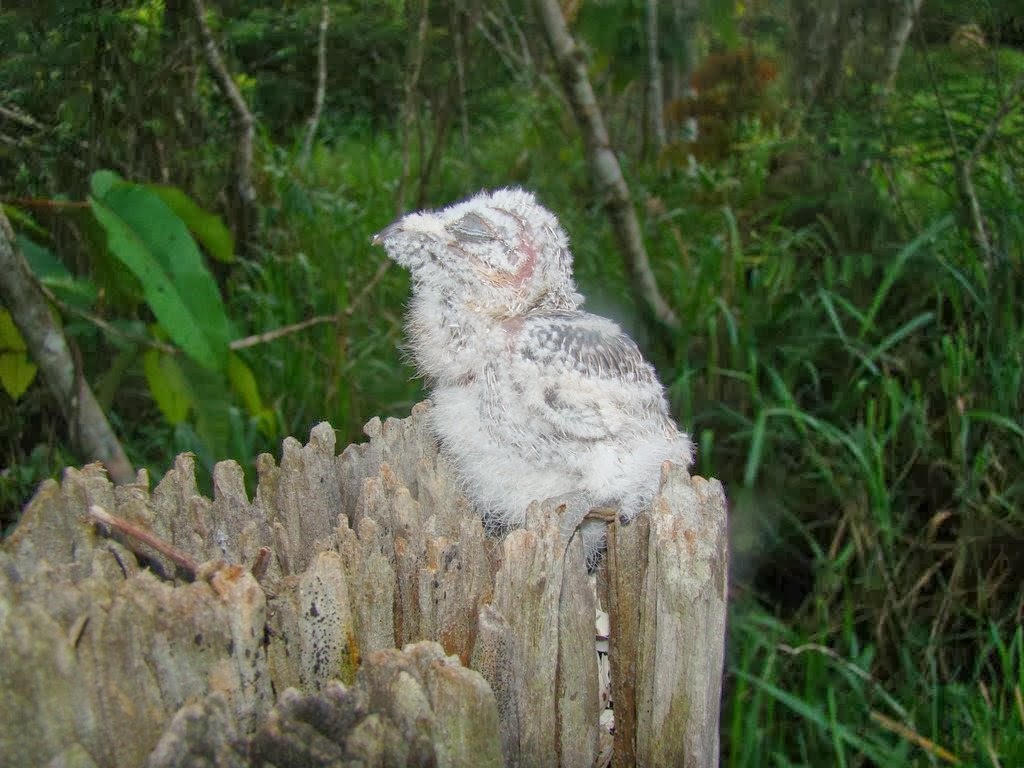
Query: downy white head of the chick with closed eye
(499, 252)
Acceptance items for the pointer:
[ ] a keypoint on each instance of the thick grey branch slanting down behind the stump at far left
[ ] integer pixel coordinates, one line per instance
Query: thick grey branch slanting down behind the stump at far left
(89, 428)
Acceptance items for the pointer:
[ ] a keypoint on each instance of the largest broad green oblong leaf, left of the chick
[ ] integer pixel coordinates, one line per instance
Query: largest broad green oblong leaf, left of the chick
(155, 245)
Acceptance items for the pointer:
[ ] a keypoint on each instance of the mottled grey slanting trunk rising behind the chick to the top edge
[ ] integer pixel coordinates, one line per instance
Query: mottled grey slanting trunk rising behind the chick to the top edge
(607, 173)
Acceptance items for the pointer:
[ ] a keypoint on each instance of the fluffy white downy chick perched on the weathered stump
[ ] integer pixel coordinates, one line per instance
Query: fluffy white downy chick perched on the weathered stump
(534, 398)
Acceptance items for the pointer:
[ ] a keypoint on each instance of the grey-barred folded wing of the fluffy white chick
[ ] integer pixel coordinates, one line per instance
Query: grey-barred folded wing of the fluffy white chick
(585, 379)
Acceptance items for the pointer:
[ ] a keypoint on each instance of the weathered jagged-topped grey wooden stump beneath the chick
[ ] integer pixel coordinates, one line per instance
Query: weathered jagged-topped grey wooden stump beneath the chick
(112, 655)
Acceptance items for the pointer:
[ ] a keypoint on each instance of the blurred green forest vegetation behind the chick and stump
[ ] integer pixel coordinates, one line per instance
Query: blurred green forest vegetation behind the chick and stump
(831, 196)
